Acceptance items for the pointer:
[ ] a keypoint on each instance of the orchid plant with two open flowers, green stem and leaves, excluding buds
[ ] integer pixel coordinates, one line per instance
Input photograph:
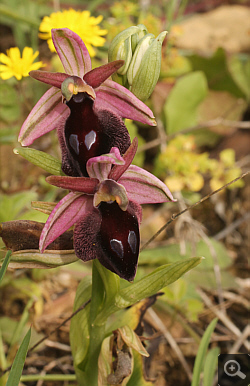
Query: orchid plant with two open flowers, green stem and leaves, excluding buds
(103, 207)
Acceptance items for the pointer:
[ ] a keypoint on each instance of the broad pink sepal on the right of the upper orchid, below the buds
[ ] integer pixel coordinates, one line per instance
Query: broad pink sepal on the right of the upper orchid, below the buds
(112, 96)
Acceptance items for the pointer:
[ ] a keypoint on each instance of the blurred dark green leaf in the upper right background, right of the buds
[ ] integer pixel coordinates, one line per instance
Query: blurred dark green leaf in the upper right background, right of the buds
(216, 70)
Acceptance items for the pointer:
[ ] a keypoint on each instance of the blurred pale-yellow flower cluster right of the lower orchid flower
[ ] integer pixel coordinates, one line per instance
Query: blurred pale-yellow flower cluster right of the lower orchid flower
(187, 168)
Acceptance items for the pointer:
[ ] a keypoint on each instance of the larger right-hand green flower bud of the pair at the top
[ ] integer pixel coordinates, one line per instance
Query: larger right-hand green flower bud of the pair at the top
(144, 70)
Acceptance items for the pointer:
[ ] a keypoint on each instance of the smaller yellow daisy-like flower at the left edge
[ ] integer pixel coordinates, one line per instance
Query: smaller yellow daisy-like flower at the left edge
(13, 64)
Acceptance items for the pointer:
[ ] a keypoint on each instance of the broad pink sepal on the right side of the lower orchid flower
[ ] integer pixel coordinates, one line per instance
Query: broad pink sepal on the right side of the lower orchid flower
(143, 187)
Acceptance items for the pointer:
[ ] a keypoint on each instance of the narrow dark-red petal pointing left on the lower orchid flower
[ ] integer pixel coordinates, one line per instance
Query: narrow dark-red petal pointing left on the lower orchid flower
(78, 184)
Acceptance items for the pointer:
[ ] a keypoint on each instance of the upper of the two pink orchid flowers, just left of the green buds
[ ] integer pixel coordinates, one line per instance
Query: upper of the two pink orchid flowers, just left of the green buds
(83, 105)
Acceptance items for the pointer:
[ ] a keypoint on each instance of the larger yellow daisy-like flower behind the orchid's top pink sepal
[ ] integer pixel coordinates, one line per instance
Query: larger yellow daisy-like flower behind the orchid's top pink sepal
(81, 22)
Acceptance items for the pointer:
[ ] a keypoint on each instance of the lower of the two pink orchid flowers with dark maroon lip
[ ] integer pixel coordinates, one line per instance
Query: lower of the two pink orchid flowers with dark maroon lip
(106, 210)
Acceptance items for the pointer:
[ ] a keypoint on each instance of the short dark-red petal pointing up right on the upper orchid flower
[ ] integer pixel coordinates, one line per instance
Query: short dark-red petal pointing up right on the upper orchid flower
(98, 75)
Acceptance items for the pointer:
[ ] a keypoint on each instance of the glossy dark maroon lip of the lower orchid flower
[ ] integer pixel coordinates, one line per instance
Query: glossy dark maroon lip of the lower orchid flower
(120, 240)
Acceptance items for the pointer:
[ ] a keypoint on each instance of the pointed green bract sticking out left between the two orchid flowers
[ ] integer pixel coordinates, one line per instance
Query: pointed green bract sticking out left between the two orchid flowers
(39, 158)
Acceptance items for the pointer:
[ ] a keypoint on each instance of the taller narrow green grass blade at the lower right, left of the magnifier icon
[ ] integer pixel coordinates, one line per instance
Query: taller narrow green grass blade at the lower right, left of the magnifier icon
(199, 360)
